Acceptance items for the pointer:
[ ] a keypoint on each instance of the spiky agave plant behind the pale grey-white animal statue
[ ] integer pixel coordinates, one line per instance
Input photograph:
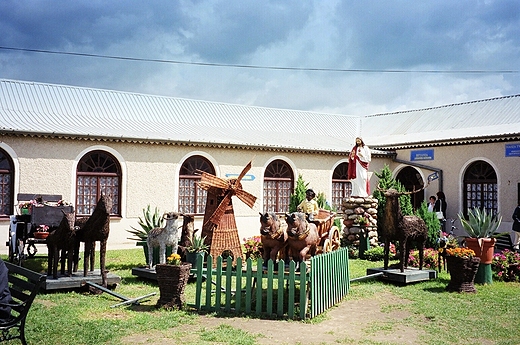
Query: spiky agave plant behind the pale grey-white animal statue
(150, 220)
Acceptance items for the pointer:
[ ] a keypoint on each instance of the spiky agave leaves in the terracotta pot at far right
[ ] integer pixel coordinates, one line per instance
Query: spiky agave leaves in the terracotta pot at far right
(480, 223)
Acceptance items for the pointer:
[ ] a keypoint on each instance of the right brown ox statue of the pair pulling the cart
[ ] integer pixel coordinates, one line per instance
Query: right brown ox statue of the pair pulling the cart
(302, 237)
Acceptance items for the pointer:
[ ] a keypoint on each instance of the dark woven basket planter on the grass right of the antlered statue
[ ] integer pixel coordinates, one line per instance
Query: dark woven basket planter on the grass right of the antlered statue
(462, 272)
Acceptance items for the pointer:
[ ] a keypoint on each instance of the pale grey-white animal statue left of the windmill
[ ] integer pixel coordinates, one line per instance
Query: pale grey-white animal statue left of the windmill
(162, 237)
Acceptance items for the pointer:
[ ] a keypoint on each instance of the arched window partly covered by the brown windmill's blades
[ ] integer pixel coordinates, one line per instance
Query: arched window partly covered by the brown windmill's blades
(192, 198)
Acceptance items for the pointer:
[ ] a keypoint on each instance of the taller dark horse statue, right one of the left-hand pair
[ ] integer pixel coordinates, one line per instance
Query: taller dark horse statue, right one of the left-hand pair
(92, 229)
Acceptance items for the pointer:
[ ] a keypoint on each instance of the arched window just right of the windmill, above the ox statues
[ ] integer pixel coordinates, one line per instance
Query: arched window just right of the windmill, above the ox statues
(278, 187)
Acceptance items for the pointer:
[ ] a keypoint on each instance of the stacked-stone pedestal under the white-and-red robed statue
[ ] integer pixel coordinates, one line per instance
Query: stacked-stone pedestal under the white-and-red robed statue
(360, 215)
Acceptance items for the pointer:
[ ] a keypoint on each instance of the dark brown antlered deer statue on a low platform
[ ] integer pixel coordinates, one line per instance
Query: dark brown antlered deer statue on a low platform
(404, 229)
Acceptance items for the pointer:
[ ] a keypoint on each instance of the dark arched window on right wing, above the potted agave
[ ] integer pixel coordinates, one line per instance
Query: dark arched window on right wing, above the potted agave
(481, 188)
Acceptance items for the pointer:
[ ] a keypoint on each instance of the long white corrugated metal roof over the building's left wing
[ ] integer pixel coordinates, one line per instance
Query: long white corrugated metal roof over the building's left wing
(39, 108)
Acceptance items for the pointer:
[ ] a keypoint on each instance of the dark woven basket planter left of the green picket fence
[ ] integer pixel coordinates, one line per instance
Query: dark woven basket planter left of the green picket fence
(172, 280)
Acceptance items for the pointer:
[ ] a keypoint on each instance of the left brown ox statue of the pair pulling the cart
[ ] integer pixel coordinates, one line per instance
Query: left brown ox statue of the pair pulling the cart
(274, 238)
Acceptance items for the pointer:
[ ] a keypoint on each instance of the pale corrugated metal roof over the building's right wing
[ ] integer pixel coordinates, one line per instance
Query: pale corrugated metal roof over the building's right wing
(496, 117)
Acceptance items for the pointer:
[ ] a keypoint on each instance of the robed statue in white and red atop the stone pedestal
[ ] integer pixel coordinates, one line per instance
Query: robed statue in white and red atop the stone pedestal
(357, 172)
